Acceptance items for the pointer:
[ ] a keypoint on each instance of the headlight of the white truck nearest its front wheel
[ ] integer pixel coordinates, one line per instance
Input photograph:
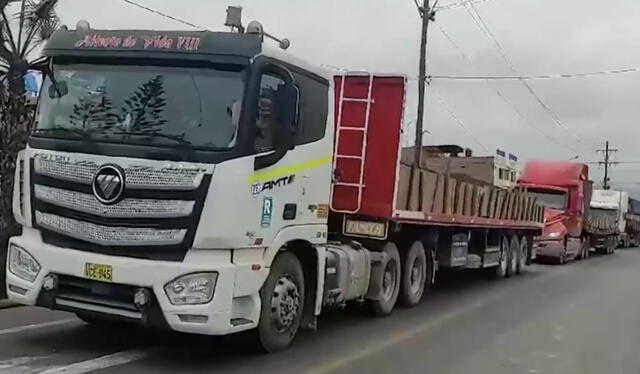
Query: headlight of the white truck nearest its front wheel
(192, 289)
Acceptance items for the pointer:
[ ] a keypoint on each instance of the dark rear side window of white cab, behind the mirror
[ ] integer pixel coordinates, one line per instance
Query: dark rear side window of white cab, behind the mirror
(312, 116)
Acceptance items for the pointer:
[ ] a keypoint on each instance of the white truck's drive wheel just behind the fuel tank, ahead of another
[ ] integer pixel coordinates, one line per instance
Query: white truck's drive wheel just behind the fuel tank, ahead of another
(389, 280)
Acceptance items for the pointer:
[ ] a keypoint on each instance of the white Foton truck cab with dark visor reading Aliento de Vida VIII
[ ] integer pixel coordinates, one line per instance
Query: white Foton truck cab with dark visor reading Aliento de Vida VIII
(165, 172)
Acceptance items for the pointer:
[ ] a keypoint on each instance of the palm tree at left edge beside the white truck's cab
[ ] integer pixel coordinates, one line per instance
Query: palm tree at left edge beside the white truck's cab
(20, 34)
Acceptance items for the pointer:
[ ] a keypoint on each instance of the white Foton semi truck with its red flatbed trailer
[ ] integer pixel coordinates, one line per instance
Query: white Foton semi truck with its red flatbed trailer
(207, 183)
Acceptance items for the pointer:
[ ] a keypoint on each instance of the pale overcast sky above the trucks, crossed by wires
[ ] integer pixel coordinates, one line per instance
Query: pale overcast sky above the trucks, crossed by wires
(540, 37)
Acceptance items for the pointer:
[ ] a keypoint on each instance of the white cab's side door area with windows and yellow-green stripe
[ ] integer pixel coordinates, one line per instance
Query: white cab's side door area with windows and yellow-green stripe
(291, 180)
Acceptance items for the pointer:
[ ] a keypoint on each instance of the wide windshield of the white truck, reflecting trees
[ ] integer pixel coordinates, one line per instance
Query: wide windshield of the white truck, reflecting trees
(142, 105)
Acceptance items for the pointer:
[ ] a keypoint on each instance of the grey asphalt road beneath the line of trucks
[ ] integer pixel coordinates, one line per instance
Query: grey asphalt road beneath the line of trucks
(579, 318)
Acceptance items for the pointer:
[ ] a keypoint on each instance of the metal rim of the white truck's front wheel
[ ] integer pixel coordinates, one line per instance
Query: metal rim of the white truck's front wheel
(285, 304)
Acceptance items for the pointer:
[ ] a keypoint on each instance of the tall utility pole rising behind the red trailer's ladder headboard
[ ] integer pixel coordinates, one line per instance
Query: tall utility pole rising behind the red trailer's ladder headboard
(427, 14)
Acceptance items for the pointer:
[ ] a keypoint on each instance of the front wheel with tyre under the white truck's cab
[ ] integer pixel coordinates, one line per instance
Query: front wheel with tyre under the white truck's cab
(282, 298)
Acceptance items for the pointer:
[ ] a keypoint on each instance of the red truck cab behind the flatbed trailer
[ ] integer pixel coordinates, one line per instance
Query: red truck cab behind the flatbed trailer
(563, 187)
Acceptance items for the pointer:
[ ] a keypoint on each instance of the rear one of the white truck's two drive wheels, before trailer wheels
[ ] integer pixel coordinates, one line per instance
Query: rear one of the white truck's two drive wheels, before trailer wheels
(414, 275)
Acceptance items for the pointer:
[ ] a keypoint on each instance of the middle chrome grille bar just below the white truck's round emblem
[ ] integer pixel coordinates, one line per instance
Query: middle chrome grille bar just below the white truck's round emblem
(127, 208)
